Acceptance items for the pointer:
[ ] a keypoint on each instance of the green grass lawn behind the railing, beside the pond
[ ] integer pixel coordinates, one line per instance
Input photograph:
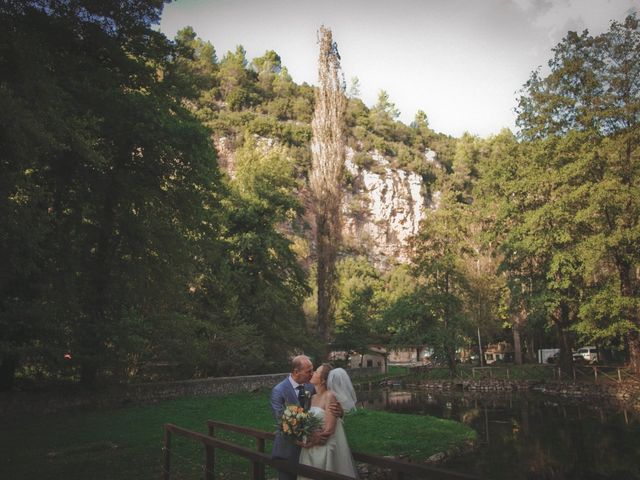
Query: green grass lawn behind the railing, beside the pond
(127, 442)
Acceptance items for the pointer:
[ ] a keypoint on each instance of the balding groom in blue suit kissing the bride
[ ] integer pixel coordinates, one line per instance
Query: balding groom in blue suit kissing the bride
(295, 389)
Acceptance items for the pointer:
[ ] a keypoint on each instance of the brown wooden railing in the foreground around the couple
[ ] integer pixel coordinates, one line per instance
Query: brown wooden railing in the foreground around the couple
(259, 459)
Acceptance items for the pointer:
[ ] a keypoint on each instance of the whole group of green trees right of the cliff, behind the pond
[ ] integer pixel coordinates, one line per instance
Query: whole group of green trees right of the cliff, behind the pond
(544, 226)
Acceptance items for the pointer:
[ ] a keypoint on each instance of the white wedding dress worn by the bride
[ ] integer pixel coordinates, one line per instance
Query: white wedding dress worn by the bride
(334, 456)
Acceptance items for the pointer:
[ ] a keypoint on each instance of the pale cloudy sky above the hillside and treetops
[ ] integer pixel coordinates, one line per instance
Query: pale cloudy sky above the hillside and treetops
(461, 61)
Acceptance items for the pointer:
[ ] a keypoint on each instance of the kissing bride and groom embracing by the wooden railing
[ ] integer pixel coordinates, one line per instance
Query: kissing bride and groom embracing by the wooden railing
(327, 393)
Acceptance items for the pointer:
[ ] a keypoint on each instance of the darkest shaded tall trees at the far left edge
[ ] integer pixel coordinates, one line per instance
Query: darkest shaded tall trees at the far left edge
(102, 231)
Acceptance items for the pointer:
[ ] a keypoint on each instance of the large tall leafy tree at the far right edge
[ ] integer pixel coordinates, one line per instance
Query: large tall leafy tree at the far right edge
(575, 247)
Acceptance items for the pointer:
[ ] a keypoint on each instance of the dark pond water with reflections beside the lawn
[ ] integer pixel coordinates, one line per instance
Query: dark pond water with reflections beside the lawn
(526, 436)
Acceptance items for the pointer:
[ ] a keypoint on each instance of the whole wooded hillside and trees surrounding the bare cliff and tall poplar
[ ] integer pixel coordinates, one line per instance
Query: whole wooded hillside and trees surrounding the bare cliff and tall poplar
(127, 245)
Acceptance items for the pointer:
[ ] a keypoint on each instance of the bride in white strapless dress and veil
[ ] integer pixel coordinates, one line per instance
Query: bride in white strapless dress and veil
(334, 455)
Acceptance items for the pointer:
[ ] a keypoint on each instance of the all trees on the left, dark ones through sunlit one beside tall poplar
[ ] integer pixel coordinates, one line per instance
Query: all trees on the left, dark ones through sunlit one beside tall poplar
(122, 244)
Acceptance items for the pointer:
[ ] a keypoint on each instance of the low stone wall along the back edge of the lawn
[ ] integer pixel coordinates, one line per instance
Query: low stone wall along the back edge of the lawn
(40, 403)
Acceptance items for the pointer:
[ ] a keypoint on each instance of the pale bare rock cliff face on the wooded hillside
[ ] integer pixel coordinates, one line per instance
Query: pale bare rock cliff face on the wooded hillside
(382, 207)
